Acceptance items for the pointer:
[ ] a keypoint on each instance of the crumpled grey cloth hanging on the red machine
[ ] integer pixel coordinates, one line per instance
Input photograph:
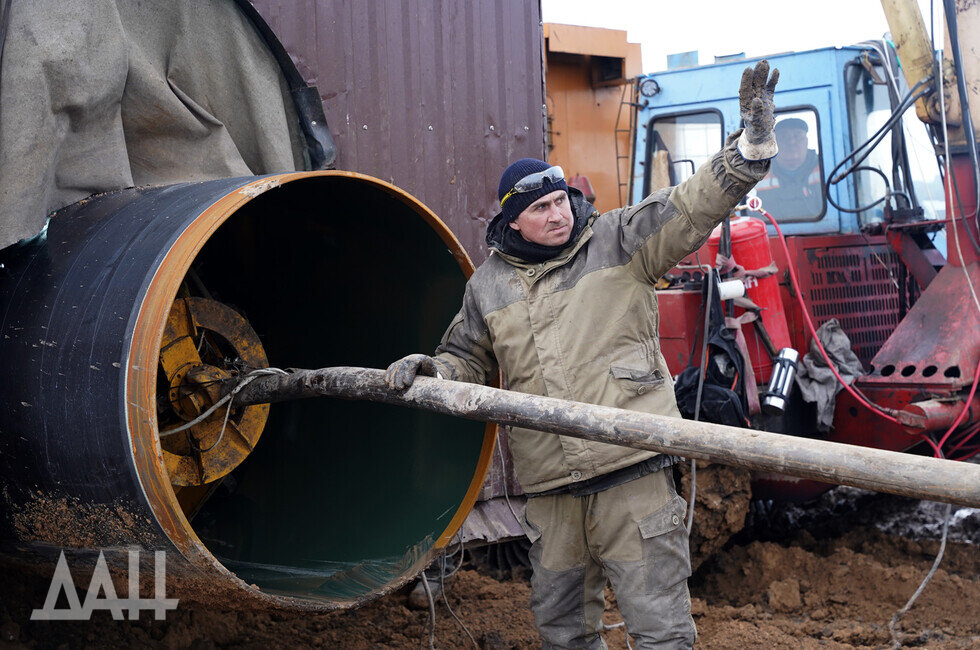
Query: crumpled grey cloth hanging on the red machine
(816, 380)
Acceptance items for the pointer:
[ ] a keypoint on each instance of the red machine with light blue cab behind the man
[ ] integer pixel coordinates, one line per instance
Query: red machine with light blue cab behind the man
(869, 254)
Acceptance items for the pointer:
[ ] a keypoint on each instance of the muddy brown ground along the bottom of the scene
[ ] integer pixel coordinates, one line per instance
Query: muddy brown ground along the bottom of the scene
(828, 575)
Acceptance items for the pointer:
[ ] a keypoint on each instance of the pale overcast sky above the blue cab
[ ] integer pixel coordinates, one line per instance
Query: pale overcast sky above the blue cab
(716, 27)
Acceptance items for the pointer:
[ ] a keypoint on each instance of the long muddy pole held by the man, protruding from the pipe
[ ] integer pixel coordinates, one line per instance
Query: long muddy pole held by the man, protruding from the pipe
(831, 462)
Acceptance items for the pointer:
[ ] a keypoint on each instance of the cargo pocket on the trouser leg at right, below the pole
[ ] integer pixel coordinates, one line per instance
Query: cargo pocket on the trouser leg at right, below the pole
(665, 546)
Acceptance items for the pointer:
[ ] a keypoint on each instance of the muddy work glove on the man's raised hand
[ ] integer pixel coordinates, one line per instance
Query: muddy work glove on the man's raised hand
(758, 141)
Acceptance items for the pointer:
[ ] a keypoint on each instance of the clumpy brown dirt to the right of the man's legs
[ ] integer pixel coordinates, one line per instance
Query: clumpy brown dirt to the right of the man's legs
(843, 592)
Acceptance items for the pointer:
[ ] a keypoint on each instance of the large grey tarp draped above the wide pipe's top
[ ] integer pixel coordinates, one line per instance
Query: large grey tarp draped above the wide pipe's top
(97, 95)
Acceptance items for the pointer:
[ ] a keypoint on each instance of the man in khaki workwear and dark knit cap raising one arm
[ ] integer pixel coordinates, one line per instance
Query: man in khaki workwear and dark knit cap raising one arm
(565, 307)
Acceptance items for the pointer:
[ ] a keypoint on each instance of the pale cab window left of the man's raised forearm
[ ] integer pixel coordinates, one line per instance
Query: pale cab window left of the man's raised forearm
(678, 144)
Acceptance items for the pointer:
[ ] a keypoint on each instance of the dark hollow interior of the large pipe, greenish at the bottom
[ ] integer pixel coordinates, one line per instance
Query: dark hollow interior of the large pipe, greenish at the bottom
(339, 499)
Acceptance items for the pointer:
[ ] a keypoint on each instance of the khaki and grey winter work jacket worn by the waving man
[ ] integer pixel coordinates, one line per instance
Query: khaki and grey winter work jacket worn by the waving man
(583, 326)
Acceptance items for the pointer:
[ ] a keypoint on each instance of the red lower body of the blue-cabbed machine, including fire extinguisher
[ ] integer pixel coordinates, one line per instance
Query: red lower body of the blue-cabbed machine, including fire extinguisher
(920, 360)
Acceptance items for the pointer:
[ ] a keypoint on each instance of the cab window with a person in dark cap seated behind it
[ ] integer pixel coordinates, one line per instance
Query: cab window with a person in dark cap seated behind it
(793, 188)
